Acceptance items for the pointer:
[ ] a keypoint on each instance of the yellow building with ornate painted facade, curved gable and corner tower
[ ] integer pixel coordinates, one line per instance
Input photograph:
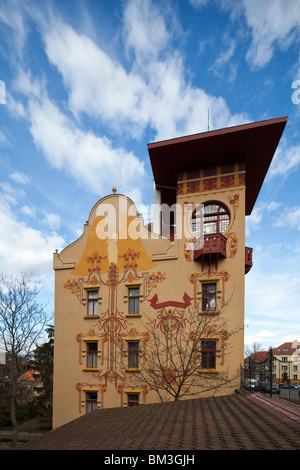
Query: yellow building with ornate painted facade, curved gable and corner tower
(120, 277)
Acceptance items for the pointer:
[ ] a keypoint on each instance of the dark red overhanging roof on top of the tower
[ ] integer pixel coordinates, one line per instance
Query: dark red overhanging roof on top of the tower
(254, 144)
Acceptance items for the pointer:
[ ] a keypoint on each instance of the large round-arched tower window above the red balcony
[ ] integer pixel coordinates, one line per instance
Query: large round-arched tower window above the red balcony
(216, 218)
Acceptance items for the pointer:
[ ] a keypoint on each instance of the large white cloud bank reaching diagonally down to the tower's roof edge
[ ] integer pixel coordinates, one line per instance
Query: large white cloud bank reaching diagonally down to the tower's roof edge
(153, 91)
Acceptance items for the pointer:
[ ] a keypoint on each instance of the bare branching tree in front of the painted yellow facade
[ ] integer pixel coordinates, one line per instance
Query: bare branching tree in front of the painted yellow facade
(176, 359)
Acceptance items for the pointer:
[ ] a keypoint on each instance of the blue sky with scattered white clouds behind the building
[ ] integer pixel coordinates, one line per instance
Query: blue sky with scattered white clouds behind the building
(85, 85)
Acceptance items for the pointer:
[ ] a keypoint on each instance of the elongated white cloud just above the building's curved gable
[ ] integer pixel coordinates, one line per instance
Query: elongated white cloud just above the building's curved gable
(91, 160)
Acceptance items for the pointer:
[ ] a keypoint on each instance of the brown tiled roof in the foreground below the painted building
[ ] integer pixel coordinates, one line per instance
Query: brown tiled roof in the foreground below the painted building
(238, 421)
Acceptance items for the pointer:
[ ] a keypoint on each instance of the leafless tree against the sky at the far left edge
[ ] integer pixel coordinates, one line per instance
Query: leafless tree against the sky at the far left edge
(22, 320)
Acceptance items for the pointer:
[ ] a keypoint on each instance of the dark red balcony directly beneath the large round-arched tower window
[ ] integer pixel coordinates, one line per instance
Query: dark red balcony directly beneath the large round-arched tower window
(214, 248)
